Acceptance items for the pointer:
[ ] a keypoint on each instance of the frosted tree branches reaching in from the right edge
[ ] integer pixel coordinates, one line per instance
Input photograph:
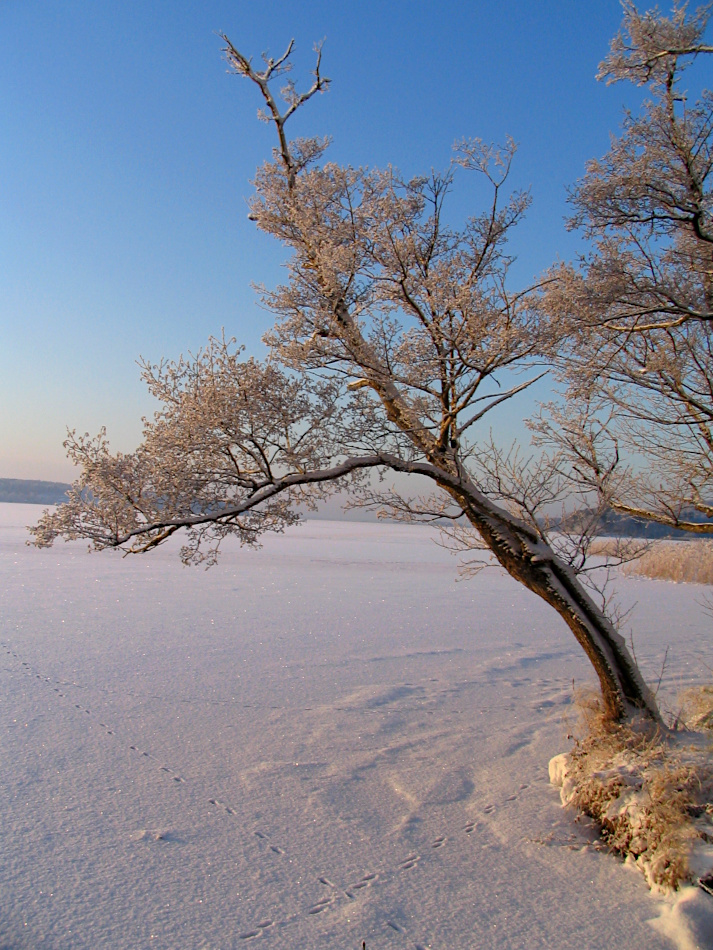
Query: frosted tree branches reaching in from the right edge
(640, 305)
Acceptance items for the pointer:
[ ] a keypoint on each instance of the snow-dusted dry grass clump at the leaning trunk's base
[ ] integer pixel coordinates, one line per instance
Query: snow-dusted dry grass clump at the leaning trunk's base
(651, 793)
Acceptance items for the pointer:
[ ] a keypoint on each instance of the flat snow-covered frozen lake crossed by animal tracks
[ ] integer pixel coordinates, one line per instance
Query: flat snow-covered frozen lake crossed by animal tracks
(322, 742)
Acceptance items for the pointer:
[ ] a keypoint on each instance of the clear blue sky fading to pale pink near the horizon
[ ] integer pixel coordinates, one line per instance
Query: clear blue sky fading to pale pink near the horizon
(126, 152)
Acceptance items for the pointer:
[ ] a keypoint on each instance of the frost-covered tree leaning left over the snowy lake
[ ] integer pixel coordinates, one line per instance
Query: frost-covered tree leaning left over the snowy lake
(395, 335)
